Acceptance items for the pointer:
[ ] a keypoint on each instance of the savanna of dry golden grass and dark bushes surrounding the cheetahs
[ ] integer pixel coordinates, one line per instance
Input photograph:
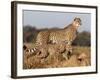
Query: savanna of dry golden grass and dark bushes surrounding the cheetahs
(81, 53)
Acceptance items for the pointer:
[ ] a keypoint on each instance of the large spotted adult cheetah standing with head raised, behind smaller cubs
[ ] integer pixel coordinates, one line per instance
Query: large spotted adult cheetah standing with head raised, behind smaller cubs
(67, 35)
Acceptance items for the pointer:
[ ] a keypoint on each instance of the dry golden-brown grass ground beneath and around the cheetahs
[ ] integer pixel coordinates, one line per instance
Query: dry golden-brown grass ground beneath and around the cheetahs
(57, 60)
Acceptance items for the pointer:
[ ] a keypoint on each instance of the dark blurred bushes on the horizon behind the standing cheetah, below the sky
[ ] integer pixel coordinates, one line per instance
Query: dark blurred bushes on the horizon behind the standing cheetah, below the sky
(30, 33)
